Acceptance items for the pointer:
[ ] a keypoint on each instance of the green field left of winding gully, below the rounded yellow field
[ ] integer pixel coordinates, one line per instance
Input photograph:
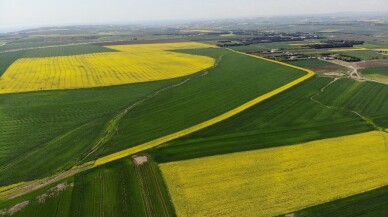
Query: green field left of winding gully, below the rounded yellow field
(30, 128)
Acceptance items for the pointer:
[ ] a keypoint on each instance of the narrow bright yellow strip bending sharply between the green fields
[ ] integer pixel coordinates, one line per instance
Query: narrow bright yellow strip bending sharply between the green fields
(224, 116)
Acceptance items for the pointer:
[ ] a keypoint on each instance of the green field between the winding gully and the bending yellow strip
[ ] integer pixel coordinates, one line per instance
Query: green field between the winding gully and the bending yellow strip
(192, 104)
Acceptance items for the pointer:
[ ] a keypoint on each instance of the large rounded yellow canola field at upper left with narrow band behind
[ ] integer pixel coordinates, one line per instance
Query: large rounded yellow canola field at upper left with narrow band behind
(134, 63)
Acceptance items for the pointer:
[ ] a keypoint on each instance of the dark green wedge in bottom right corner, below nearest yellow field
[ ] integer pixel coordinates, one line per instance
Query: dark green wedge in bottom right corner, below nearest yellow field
(372, 203)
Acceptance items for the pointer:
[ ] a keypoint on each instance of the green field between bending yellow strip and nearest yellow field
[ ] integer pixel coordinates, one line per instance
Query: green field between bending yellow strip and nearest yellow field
(298, 115)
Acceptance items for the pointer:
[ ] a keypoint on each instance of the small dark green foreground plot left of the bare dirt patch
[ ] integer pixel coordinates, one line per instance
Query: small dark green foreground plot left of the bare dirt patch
(109, 190)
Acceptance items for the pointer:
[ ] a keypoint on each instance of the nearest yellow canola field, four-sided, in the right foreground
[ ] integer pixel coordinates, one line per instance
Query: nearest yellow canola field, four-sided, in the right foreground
(278, 180)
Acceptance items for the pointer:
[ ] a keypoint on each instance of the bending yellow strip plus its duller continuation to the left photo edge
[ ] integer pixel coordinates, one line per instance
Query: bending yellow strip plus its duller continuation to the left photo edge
(153, 143)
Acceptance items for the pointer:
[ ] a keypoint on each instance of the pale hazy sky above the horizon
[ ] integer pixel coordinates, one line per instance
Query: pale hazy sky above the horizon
(35, 13)
